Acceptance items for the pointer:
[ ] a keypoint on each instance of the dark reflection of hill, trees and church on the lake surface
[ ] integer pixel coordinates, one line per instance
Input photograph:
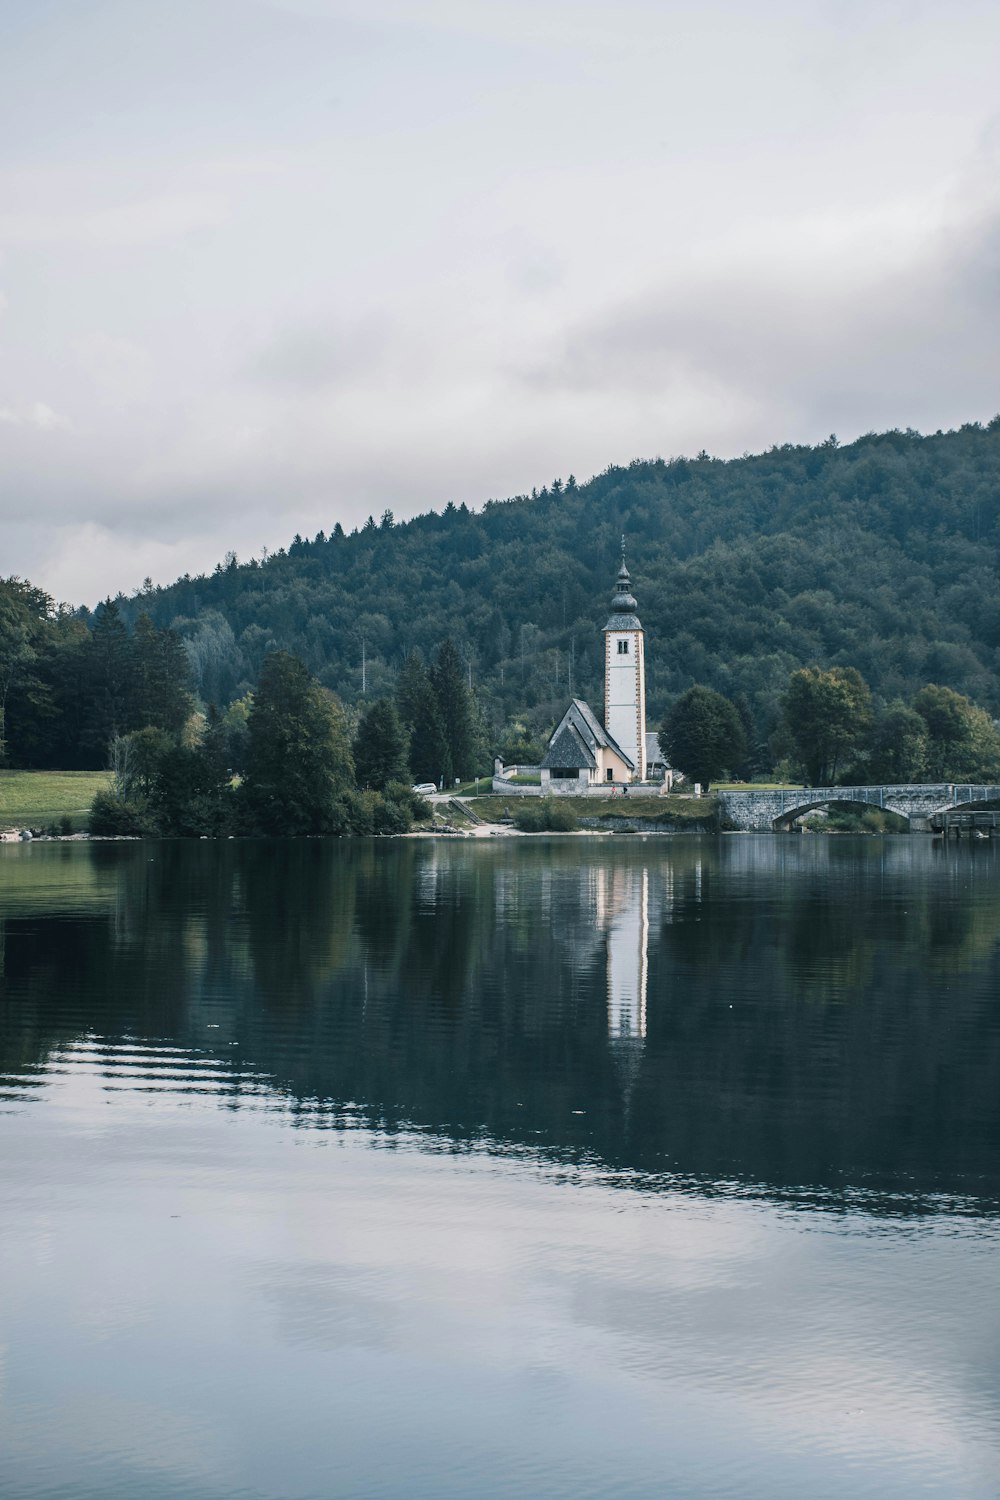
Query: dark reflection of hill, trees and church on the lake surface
(792, 1013)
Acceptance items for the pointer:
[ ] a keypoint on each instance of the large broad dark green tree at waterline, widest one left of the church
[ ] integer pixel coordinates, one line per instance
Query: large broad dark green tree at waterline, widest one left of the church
(299, 757)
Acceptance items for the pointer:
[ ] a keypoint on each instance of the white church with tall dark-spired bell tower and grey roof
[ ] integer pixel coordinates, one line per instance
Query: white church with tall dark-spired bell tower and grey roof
(585, 754)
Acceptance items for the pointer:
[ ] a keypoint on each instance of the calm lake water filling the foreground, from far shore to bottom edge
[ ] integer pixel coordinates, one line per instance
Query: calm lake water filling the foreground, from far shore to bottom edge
(572, 1168)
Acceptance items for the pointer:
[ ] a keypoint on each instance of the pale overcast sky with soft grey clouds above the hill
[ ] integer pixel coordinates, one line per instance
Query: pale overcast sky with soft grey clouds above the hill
(271, 265)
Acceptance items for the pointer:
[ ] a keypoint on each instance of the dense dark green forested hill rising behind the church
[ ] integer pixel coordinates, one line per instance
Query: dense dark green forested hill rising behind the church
(879, 556)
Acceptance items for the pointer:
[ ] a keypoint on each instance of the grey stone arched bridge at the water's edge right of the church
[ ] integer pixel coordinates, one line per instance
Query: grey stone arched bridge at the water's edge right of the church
(764, 812)
